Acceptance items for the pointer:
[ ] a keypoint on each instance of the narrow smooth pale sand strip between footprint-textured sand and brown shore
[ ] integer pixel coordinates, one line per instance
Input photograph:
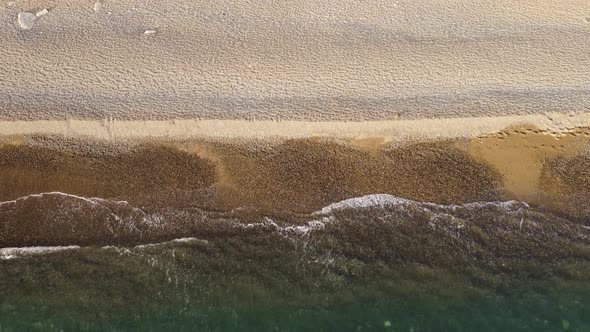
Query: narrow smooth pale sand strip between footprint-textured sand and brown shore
(399, 130)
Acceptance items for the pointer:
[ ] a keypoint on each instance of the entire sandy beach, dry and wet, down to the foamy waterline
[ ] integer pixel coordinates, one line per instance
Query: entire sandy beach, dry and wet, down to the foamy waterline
(296, 105)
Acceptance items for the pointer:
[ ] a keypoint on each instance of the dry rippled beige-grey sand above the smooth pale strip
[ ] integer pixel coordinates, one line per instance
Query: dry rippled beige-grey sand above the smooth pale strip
(305, 60)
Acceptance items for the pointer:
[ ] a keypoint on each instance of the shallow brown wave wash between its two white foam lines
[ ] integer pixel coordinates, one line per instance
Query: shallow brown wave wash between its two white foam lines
(58, 219)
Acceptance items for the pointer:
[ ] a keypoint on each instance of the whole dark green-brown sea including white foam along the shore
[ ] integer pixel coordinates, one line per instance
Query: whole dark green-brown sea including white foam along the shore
(375, 263)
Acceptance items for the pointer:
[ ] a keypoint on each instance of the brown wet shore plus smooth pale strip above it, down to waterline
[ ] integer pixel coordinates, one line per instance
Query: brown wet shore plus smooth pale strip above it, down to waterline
(300, 167)
